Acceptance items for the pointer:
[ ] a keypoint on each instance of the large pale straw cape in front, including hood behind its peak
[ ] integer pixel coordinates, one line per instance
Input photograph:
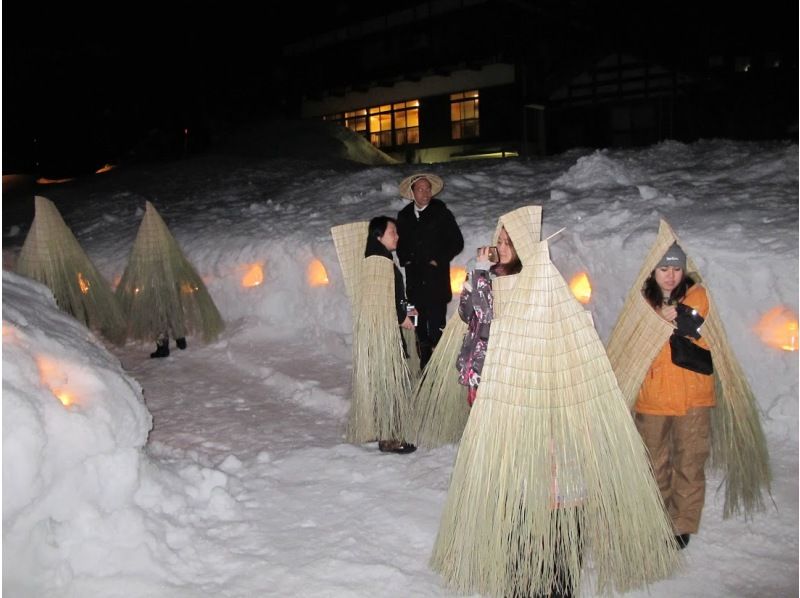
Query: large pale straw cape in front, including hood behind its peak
(551, 473)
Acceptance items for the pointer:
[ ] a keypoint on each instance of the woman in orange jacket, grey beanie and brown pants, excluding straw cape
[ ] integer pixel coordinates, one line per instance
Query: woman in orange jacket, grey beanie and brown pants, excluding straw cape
(672, 409)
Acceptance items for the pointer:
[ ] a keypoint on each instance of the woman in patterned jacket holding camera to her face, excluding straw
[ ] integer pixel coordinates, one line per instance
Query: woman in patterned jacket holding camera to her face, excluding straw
(475, 308)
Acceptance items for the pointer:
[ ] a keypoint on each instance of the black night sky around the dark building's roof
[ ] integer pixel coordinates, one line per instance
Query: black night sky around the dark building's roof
(87, 84)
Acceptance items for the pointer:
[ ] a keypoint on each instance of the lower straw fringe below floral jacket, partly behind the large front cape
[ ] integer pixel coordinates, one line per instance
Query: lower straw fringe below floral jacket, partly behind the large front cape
(440, 402)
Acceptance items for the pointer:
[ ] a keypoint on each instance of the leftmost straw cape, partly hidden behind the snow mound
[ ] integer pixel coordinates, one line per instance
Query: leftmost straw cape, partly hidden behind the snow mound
(52, 255)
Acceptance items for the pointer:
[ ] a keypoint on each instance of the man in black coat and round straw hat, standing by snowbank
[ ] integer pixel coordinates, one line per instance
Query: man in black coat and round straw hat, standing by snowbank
(429, 240)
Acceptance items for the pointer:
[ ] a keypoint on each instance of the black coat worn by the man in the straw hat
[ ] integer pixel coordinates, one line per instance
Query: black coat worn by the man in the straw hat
(435, 236)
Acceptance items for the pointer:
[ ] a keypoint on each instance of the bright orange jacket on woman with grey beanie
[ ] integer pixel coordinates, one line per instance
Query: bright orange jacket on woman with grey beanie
(671, 390)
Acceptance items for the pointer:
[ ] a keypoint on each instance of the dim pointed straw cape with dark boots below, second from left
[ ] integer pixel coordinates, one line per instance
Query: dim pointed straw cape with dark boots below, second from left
(160, 291)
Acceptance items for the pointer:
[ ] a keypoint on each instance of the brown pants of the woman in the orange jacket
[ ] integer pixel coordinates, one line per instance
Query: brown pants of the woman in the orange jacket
(679, 446)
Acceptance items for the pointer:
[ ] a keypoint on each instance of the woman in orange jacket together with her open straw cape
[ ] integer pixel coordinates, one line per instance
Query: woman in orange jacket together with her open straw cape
(684, 412)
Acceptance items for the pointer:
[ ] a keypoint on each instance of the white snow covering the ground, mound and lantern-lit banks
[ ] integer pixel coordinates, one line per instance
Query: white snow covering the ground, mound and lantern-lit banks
(222, 469)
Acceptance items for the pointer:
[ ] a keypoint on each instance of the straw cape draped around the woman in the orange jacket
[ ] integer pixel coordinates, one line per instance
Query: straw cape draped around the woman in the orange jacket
(738, 446)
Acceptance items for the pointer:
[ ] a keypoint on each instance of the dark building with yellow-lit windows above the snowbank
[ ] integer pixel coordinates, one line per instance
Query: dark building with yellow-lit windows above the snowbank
(455, 79)
